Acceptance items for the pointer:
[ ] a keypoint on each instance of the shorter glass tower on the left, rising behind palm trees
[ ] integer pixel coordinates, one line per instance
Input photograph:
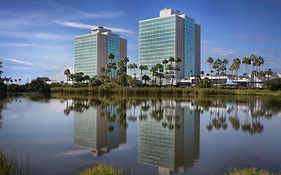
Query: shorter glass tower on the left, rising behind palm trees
(91, 50)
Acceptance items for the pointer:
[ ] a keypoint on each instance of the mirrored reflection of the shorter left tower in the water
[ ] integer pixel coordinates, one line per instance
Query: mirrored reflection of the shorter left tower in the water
(98, 128)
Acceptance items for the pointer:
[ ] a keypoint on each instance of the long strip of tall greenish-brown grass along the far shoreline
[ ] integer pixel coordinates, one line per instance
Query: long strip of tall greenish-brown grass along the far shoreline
(163, 91)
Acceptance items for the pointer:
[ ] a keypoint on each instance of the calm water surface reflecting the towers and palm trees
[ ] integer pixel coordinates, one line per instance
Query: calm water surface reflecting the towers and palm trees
(143, 136)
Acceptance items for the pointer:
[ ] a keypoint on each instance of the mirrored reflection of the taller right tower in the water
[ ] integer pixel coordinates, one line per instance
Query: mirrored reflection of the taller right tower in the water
(171, 149)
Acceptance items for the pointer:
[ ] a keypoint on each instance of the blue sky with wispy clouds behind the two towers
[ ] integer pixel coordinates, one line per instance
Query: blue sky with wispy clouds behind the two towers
(37, 36)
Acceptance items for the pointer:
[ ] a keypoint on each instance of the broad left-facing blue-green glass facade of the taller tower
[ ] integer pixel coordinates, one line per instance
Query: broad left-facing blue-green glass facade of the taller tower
(156, 40)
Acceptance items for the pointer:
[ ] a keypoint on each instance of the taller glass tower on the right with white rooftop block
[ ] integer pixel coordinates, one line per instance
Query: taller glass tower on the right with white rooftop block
(173, 34)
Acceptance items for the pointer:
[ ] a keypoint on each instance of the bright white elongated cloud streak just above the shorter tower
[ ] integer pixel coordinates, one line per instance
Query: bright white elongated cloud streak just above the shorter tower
(87, 26)
